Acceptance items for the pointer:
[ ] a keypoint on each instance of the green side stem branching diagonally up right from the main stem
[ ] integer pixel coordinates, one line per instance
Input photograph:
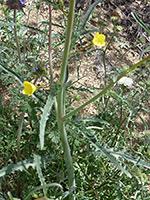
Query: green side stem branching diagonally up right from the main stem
(106, 89)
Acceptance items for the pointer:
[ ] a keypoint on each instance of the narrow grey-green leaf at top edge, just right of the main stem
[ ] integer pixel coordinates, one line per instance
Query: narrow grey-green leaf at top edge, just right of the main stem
(88, 13)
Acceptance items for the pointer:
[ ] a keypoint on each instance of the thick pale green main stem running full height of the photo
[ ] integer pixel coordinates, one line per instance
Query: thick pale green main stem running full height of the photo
(61, 103)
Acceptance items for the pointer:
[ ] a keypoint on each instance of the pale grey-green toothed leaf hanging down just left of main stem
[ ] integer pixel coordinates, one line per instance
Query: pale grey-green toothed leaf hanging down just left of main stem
(44, 117)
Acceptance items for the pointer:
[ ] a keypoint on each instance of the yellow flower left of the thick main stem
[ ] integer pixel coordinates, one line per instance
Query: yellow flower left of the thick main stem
(29, 88)
